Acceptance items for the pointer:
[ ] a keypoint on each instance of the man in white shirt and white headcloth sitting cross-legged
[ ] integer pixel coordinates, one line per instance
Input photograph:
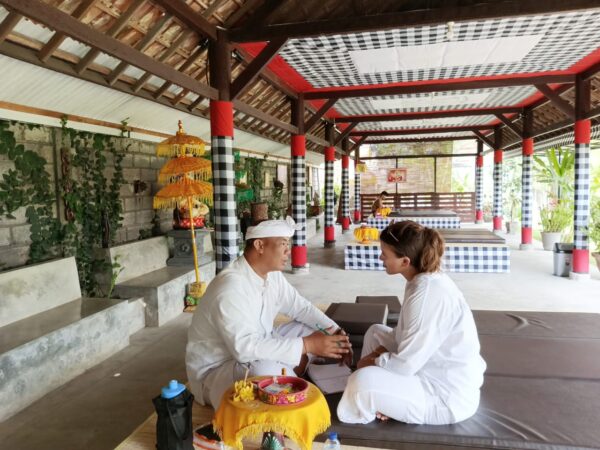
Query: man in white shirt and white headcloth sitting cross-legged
(232, 328)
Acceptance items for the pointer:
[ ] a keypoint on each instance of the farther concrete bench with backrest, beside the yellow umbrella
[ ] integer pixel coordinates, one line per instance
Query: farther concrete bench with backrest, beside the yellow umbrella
(146, 274)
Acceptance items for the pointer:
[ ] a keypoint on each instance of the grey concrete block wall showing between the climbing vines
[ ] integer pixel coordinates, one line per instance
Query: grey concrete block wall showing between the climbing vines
(139, 163)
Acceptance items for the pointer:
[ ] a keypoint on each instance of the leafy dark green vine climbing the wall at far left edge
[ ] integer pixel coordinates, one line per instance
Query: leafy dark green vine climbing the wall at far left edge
(28, 185)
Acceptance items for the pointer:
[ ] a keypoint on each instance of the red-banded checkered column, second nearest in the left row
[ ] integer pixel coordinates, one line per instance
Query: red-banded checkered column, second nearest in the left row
(299, 200)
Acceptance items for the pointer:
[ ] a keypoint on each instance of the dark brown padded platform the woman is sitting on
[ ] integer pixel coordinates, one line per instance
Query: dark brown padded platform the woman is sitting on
(541, 390)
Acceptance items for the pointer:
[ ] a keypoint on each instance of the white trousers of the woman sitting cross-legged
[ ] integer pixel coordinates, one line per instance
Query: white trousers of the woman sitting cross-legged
(373, 389)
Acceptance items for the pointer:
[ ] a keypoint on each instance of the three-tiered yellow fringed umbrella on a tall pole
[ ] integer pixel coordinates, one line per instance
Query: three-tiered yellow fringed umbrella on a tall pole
(182, 173)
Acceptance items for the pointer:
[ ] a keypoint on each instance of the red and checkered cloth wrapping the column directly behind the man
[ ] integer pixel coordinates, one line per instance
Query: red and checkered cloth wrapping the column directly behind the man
(226, 234)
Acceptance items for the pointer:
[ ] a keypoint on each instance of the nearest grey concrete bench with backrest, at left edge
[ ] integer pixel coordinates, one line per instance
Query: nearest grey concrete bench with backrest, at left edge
(50, 334)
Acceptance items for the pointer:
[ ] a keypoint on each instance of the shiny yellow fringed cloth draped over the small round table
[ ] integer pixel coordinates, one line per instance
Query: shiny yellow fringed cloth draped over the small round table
(301, 422)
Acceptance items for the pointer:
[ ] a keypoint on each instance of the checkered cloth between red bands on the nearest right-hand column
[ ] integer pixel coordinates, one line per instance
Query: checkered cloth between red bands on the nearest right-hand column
(582, 195)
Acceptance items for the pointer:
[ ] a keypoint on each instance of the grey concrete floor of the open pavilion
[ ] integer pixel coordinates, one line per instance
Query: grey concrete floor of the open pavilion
(100, 408)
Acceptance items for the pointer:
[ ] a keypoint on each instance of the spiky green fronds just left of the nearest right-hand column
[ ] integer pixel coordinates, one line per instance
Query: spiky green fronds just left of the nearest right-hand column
(556, 169)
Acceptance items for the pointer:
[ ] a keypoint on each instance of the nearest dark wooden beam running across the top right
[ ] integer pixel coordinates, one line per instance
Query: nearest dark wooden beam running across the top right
(406, 18)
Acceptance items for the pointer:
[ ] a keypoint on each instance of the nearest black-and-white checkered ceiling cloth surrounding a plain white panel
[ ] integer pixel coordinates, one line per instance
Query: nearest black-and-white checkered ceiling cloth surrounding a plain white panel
(326, 61)
